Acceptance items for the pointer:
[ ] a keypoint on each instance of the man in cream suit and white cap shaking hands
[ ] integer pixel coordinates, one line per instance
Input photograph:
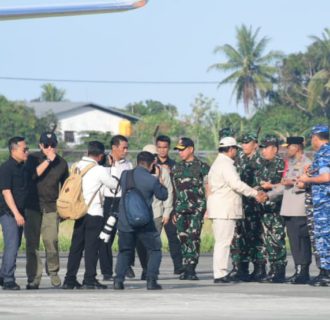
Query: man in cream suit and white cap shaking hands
(224, 204)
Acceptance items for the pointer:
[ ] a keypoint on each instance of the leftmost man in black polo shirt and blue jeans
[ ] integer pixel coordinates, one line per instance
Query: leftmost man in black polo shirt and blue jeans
(13, 186)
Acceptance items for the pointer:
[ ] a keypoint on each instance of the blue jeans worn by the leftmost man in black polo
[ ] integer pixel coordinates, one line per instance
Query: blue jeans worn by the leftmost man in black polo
(12, 235)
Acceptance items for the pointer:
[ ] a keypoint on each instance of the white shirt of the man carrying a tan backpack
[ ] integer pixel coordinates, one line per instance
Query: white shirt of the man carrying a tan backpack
(93, 180)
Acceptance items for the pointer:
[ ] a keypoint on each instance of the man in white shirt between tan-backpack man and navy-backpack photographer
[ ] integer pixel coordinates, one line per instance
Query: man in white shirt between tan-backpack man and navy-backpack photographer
(119, 163)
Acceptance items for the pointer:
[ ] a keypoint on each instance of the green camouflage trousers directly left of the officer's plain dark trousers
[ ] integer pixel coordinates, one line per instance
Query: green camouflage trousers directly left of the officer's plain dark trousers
(274, 238)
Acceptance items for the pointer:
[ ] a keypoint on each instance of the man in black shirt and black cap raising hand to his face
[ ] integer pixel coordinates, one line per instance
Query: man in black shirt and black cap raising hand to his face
(48, 171)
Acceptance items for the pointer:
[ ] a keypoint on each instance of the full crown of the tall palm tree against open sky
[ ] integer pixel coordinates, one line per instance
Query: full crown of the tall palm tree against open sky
(252, 72)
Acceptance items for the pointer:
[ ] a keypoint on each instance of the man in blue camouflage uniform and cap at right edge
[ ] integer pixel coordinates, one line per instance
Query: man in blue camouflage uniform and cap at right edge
(319, 179)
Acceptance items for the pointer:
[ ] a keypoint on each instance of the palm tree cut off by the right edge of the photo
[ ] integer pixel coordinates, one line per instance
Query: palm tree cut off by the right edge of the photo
(318, 88)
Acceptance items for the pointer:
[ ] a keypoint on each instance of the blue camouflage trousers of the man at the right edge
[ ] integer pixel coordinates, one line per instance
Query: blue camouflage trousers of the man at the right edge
(322, 234)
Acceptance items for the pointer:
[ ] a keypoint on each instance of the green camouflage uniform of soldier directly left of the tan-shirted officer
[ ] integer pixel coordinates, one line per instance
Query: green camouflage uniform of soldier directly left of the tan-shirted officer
(272, 222)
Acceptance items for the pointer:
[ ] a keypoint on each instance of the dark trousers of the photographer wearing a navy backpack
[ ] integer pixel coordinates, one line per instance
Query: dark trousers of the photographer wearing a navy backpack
(127, 243)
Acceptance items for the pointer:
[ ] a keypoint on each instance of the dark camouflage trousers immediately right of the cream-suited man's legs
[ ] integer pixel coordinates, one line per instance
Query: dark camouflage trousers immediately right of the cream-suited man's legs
(247, 245)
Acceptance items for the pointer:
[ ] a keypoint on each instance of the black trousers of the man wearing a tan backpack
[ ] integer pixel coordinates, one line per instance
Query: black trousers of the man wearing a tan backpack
(85, 237)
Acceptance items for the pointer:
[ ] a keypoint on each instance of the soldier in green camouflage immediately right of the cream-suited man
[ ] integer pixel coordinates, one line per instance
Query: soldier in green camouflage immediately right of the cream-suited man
(247, 245)
